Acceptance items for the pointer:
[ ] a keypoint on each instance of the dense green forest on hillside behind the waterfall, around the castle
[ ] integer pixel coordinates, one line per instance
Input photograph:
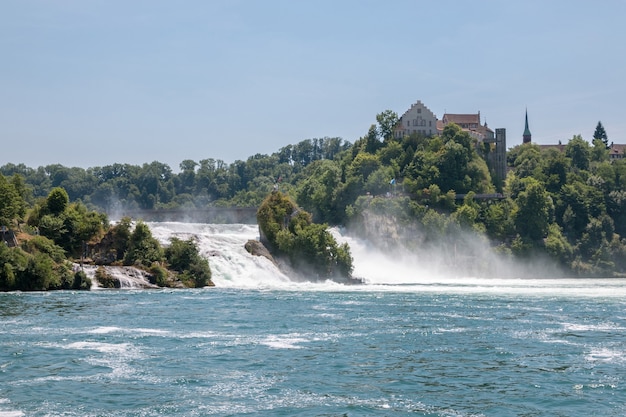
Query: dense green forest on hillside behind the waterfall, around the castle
(567, 205)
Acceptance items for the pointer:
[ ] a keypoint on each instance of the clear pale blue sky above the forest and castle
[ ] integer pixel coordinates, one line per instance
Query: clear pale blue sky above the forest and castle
(97, 82)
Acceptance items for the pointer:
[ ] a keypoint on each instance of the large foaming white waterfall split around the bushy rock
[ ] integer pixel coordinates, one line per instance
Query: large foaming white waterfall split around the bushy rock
(233, 267)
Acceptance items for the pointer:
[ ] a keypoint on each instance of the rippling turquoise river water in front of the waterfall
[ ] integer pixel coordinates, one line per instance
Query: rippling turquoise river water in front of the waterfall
(470, 349)
